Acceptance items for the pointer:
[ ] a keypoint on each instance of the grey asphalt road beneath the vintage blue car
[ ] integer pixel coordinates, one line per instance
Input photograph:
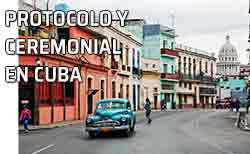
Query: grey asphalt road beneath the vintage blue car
(187, 132)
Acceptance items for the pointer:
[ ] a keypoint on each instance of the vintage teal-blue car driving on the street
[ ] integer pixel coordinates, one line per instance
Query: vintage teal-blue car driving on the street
(111, 115)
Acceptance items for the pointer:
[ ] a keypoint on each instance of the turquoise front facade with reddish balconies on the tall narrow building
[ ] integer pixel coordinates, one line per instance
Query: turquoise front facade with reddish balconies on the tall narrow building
(169, 76)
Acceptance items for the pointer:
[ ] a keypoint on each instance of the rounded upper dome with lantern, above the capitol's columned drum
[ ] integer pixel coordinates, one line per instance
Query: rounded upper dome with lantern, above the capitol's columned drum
(228, 51)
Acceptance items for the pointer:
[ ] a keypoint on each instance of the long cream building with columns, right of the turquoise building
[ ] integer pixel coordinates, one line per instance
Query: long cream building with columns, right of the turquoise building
(196, 85)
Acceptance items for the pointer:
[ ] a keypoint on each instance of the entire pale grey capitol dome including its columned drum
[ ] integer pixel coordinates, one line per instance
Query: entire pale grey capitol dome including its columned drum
(228, 64)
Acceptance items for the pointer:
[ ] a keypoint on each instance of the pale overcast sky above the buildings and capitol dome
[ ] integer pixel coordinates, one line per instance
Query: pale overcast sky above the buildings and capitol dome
(201, 24)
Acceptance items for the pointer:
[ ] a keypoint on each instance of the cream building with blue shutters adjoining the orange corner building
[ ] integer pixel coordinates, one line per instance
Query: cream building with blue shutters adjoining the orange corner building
(125, 67)
